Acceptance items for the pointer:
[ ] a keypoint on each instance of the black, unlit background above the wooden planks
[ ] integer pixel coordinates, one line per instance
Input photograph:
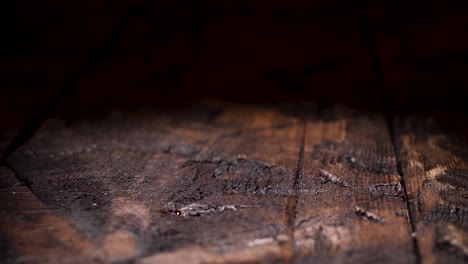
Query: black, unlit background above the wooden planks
(74, 59)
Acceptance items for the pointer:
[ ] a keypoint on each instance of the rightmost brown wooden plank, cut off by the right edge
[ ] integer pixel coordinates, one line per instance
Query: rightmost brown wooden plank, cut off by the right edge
(435, 167)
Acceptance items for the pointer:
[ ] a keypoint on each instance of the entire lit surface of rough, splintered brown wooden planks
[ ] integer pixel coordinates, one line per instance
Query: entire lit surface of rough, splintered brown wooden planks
(218, 183)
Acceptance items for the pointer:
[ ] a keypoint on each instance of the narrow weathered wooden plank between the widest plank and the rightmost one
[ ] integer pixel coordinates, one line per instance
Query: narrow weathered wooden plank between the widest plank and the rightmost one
(350, 205)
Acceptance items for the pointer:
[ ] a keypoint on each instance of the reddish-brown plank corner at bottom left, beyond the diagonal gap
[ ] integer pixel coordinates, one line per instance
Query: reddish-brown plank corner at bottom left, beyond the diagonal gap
(30, 231)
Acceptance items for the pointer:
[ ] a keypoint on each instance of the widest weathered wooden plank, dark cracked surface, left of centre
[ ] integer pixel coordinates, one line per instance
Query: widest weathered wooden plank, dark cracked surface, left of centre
(211, 181)
